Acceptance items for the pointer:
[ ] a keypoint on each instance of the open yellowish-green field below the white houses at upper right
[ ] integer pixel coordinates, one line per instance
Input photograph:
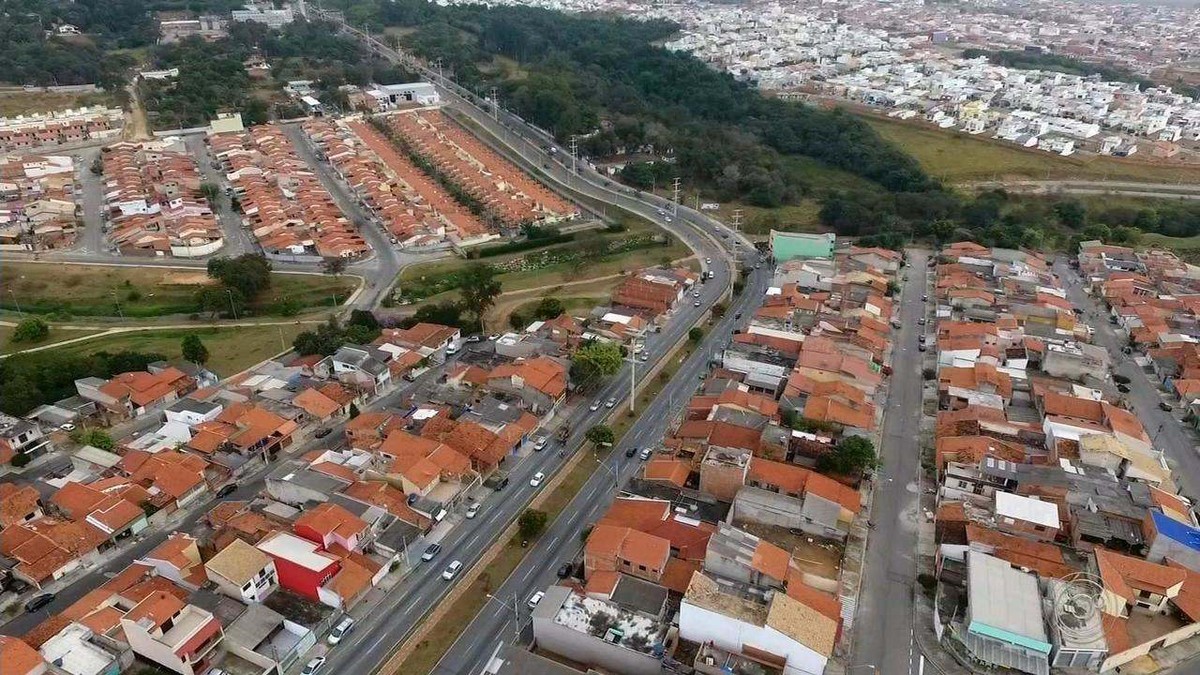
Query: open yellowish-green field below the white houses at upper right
(958, 158)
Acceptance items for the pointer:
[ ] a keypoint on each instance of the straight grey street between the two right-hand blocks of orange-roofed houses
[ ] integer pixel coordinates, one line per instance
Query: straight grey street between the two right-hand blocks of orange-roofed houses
(883, 629)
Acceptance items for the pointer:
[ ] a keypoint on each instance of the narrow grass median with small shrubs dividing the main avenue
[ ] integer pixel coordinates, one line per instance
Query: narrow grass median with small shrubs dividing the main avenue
(430, 652)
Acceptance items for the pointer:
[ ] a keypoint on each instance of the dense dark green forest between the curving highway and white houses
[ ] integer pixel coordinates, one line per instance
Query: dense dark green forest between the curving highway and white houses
(605, 81)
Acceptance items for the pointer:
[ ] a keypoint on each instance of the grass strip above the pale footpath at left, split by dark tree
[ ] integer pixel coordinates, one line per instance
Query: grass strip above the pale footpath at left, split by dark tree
(143, 292)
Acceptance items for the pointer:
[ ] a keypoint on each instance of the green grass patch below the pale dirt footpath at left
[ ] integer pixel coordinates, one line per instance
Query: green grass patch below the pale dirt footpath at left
(231, 350)
